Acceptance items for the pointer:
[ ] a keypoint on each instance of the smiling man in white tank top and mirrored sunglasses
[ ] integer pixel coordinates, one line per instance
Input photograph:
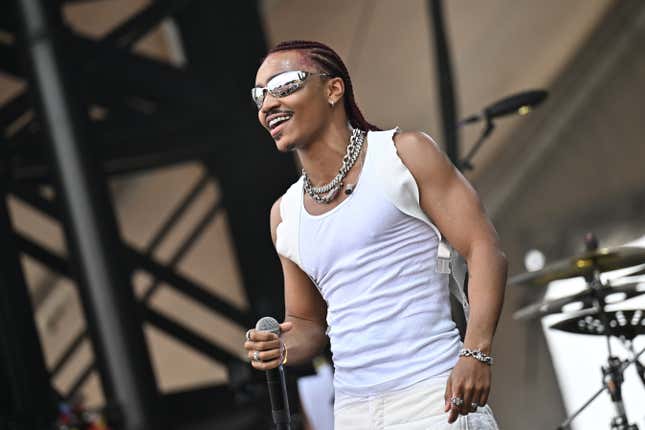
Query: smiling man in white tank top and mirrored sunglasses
(358, 237)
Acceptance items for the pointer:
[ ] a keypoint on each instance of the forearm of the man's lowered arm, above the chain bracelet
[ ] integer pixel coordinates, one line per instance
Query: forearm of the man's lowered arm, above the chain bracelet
(487, 269)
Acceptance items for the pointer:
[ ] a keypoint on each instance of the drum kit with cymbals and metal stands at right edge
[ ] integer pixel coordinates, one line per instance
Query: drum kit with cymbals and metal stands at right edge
(590, 314)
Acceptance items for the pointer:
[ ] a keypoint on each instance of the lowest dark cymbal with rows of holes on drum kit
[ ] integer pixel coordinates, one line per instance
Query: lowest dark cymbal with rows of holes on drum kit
(627, 323)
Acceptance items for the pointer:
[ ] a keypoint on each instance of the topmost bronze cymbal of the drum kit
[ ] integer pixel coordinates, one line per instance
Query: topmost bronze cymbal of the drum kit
(603, 259)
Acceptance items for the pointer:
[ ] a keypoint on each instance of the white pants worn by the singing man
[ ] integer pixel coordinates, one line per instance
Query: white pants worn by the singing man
(419, 407)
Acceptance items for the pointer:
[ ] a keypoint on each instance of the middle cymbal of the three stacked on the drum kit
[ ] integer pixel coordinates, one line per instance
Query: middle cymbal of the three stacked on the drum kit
(585, 299)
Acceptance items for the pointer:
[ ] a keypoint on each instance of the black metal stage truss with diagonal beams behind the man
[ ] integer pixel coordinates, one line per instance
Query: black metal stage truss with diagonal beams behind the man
(151, 114)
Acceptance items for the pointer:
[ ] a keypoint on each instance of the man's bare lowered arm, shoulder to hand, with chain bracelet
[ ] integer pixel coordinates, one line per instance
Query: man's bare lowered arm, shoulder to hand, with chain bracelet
(453, 205)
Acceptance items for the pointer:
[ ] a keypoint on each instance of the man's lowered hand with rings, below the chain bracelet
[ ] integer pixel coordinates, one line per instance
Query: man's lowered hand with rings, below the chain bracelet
(470, 381)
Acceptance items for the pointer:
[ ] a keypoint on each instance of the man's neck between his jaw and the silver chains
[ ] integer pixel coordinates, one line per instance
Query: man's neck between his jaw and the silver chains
(323, 156)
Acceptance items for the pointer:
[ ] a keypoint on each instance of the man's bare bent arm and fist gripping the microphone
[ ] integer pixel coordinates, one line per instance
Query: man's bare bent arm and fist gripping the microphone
(303, 331)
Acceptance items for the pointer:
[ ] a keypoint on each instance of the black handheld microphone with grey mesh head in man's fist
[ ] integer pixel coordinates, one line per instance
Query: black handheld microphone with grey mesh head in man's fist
(275, 382)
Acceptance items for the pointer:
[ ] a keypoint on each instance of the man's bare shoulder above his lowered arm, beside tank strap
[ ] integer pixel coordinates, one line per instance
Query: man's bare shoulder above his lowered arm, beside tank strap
(422, 156)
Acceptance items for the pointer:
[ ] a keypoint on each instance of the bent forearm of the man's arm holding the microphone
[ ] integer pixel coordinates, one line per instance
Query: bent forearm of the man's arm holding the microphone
(304, 341)
